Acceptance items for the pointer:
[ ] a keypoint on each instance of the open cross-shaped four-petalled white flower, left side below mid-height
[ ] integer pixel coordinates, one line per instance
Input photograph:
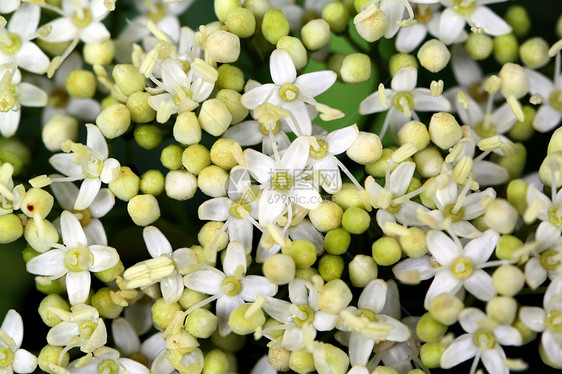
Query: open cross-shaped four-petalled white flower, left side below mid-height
(75, 259)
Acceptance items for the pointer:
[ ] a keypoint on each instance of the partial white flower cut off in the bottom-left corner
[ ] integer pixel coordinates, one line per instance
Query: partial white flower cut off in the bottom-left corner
(12, 357)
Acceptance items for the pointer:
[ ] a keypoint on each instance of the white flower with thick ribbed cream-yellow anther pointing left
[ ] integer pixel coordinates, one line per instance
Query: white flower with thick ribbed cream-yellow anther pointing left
(165, 267)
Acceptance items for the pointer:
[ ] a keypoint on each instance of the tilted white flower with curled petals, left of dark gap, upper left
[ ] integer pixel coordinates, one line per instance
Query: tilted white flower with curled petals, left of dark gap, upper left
(89, 162)
